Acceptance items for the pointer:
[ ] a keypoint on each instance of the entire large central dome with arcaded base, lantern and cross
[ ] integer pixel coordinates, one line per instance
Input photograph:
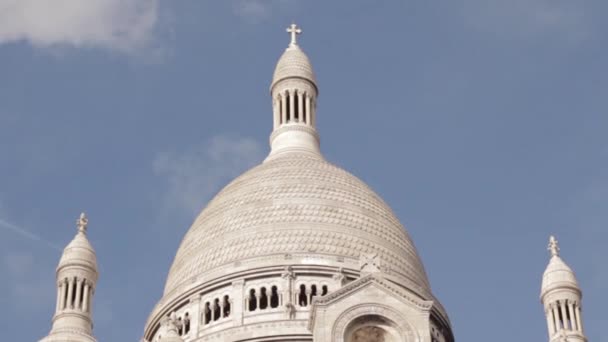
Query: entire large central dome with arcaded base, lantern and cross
(296, 249)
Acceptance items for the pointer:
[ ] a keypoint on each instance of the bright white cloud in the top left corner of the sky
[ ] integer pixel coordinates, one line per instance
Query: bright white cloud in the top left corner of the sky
(123, 25)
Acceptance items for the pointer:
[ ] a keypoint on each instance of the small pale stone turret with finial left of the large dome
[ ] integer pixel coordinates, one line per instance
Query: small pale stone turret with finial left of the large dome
(76, 280)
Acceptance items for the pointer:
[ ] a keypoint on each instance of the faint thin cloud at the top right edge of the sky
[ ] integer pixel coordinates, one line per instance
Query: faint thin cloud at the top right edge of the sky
(529, 18)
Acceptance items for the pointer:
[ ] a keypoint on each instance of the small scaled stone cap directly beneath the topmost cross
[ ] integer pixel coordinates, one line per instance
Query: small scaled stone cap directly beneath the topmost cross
(293, 63)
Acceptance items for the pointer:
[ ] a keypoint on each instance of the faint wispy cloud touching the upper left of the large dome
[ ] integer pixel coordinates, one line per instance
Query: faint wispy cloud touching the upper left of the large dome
(195, 175)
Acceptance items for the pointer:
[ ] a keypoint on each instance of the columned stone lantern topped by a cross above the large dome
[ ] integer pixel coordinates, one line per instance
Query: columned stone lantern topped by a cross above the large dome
(294, 97)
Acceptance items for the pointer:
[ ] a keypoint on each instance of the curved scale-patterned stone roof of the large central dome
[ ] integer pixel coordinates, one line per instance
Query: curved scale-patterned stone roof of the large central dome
(295, 203)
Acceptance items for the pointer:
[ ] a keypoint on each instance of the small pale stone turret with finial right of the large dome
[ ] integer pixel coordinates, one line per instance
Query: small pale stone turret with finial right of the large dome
(561, 297)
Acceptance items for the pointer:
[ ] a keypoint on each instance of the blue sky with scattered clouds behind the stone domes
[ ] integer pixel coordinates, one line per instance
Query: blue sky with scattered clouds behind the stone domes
(481, 122)
